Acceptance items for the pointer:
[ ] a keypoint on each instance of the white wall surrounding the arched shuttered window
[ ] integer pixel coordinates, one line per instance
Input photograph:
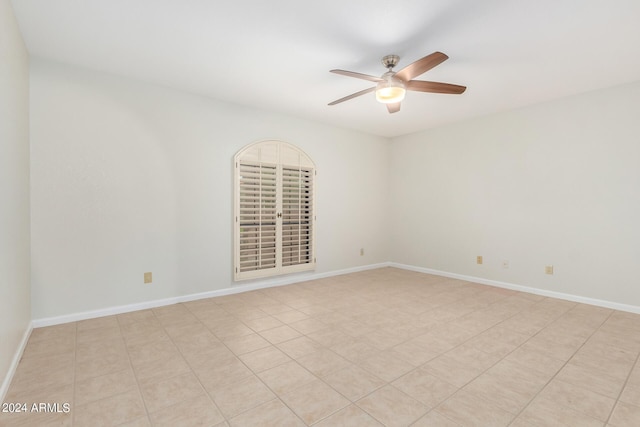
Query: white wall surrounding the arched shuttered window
(128, 177)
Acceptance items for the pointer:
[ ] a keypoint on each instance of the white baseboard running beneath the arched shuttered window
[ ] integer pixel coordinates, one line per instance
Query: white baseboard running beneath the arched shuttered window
(255, 285)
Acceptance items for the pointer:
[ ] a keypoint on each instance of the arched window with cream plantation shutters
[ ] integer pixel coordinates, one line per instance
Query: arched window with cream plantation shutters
(274, 210)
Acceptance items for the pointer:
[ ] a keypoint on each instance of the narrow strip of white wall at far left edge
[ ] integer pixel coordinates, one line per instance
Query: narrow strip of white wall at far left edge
(15, 299)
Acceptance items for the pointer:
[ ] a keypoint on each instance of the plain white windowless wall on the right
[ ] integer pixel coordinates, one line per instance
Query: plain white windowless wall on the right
(553, 184)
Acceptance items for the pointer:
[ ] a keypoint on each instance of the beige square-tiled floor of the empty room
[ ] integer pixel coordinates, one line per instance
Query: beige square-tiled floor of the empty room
(381, 347)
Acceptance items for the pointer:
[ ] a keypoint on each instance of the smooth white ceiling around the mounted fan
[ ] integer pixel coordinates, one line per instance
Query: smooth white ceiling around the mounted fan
(276, 54)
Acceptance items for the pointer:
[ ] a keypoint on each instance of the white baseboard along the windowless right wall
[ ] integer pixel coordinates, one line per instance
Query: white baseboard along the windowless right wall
(536, 291)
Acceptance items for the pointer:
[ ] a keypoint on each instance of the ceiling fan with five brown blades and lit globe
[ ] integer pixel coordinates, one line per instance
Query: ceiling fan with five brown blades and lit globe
(392, 86)
